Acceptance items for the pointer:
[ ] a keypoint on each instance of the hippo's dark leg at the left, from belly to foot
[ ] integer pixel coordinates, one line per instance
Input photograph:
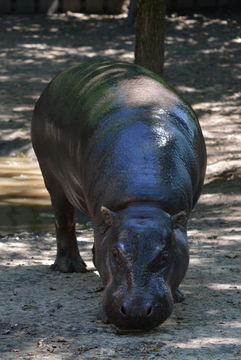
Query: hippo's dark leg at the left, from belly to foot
(68, 258)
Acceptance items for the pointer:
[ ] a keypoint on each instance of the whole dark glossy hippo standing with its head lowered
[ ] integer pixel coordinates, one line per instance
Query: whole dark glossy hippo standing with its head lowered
(113, 140)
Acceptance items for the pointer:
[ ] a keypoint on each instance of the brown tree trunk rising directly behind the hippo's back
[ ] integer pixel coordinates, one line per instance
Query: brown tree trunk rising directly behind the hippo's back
(149, 46)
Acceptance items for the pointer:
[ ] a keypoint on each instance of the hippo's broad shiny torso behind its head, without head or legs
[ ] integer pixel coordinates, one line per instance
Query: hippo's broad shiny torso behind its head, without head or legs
(122, 134)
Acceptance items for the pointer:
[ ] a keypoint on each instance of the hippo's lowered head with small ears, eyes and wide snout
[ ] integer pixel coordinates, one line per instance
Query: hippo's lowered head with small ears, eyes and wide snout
(142, 258)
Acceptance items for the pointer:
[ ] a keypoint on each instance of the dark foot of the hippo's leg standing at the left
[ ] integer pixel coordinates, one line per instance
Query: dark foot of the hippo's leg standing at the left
(69, 264)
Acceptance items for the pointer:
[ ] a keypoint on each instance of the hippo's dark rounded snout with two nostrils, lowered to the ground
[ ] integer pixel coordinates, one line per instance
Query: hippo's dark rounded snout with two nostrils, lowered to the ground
(136, 313)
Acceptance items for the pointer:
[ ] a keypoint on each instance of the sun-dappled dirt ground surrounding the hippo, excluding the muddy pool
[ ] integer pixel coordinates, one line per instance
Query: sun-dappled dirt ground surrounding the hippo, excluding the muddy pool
(45, 315)
